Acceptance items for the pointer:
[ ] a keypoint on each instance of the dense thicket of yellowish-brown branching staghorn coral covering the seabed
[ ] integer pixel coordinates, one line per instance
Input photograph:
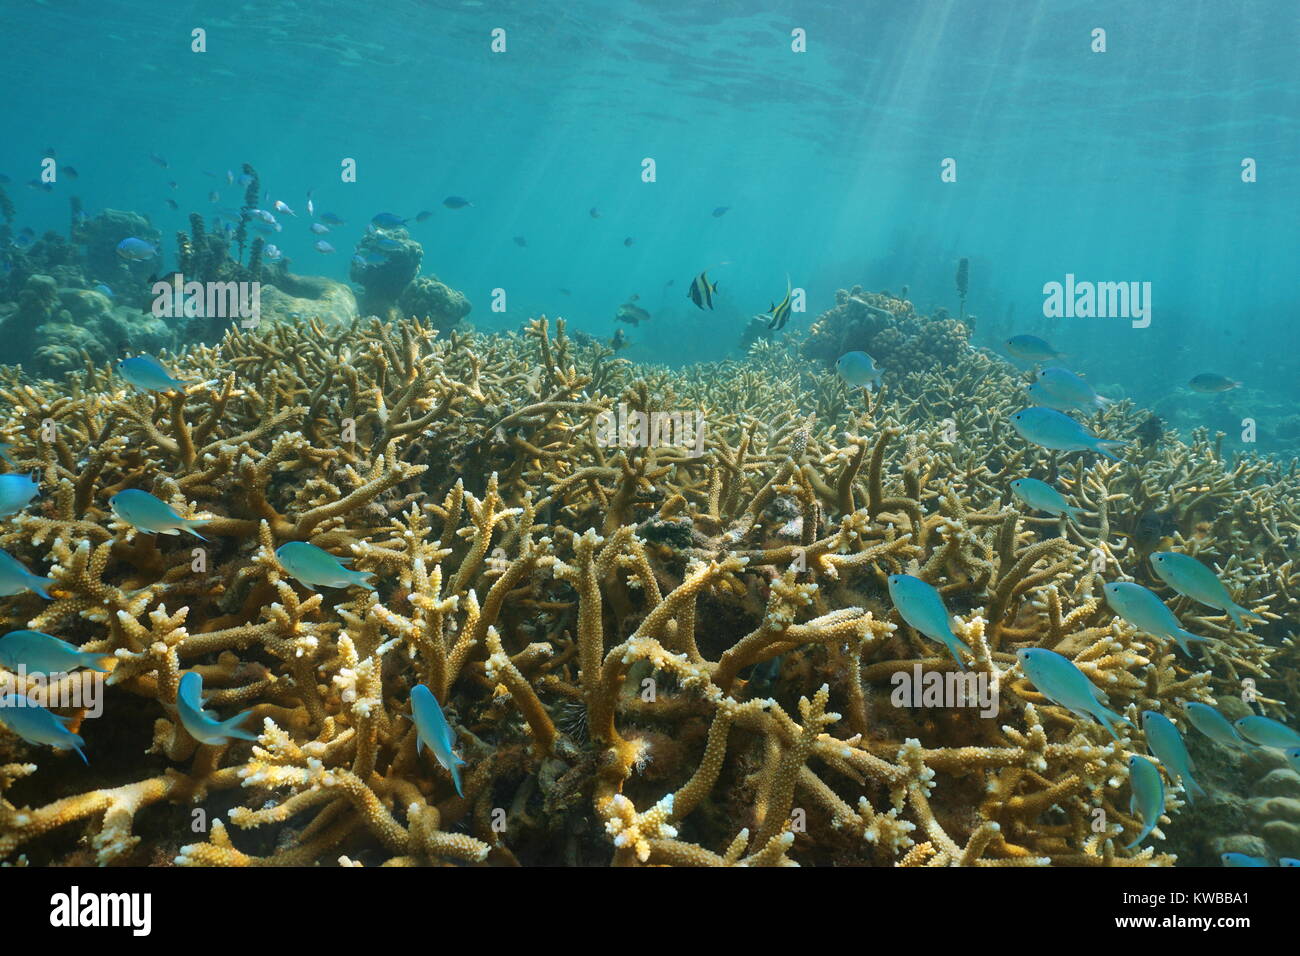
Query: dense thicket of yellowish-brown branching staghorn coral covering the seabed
(595, 618)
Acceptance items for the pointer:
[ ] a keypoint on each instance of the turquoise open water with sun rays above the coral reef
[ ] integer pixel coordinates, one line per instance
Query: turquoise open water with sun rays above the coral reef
(1119, 166)
